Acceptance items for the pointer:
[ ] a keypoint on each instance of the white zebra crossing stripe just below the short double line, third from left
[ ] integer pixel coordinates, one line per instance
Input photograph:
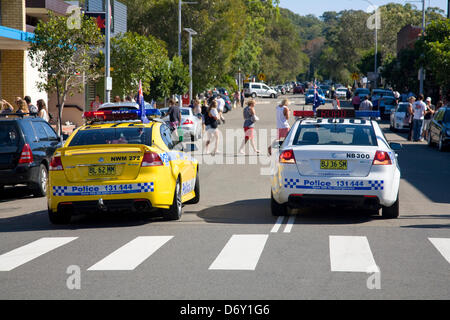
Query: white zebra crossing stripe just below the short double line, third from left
(241, 252)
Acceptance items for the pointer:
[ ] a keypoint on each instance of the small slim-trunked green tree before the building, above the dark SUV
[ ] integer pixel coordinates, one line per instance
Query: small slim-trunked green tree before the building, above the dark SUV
(64, 55)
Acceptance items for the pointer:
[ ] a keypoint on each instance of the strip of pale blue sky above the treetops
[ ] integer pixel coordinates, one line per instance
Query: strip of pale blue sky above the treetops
(317, 7)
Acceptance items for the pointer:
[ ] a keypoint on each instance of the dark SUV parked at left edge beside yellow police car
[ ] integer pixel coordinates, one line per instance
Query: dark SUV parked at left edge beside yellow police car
(27, 144)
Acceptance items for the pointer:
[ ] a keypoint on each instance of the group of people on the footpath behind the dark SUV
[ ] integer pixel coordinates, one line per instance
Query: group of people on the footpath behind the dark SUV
(25, 107)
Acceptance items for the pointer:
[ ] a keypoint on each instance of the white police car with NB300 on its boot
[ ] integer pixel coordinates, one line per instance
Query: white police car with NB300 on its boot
(336, 159)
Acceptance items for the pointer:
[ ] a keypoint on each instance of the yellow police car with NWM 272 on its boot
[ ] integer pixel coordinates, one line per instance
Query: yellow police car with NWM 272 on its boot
(117, 162)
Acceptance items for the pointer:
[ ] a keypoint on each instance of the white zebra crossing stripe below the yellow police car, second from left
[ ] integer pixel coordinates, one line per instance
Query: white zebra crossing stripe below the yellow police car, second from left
(132, 254)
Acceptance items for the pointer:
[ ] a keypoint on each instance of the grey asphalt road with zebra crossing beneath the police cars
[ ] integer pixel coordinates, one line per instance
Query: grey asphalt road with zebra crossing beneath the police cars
(229, 246)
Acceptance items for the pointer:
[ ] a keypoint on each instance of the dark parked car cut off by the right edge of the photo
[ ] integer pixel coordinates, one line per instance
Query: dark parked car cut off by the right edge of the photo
(439, 132)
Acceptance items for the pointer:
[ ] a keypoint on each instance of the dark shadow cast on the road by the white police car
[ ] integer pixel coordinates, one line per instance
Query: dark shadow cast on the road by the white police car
(257, 211)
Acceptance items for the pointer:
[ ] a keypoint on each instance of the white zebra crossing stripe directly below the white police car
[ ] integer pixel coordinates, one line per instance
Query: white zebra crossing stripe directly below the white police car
(351, 254)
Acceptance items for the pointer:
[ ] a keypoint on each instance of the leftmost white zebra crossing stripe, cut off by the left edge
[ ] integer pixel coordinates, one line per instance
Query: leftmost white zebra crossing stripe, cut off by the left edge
(26, 253)
